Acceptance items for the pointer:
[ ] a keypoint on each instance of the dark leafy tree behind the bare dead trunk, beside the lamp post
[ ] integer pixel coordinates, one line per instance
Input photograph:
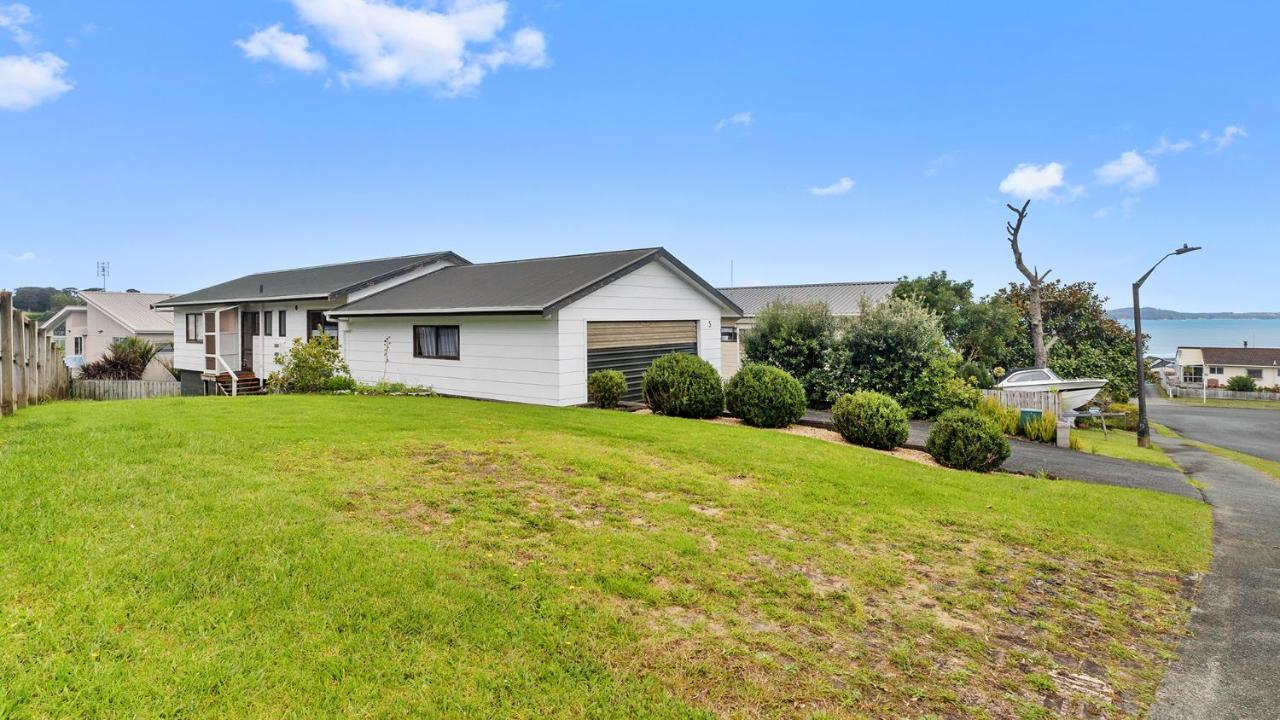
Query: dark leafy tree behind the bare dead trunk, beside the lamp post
(1086, 343)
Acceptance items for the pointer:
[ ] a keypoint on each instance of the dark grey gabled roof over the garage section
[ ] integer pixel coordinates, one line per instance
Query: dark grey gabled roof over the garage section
(540, 285)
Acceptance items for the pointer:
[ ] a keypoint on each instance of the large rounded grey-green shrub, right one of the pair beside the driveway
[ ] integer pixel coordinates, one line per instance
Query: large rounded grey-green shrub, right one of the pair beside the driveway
(898, 349)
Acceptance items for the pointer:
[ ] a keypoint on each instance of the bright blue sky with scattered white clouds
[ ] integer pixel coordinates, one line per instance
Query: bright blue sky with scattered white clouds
(190, 143)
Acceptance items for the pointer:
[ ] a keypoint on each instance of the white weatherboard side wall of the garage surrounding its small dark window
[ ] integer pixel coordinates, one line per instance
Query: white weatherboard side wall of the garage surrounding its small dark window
(513, 358)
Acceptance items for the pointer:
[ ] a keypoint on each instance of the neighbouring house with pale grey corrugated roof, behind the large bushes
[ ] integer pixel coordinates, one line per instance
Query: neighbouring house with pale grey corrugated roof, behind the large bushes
(844, 300)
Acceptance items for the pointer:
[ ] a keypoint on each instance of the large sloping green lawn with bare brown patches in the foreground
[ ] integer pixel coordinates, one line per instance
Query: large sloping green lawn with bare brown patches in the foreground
(406, 558)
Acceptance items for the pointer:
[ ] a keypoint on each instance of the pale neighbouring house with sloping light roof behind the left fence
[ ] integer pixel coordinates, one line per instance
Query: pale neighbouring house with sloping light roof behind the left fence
(88, 331)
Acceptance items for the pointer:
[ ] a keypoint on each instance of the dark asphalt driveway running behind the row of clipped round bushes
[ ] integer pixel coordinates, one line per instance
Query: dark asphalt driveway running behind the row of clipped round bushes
(1035, 458)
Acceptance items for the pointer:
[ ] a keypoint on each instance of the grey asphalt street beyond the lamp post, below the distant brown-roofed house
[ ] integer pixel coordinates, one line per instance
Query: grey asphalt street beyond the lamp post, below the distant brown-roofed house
(1255, 432)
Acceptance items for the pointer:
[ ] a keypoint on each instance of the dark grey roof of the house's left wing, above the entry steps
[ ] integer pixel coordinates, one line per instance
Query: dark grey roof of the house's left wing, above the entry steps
(316, 282)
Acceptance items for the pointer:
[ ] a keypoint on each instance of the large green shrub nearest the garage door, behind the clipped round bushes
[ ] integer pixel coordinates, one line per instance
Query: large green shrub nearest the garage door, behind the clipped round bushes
(797, 338)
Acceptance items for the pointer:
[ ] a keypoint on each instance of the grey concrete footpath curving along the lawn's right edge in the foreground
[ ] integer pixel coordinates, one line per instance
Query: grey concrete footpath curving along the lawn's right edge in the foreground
(1231, 666)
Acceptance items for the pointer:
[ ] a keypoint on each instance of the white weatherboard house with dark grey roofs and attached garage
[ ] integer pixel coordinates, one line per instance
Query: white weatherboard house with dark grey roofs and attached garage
(524, 331)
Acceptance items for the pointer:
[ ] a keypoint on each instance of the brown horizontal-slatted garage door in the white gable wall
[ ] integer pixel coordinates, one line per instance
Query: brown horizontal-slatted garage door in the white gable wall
(630, 348)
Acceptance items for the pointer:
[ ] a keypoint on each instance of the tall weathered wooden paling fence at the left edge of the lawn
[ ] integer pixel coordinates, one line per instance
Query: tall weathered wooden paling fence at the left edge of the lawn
(31, 366)
